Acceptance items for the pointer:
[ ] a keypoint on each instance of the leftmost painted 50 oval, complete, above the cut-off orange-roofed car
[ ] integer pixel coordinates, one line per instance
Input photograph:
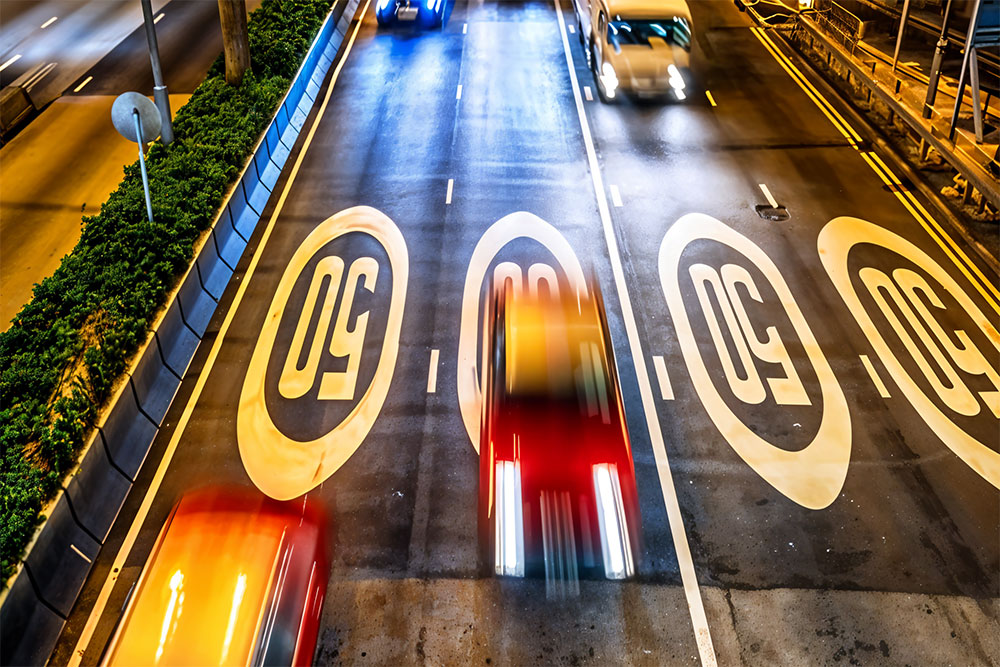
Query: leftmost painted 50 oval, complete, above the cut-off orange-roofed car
(284, 467)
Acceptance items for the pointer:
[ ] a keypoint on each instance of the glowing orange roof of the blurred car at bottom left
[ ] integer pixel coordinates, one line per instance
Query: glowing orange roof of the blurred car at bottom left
(201, 599)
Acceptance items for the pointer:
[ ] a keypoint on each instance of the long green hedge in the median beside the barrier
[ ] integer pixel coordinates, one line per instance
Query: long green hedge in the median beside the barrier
(68, 346)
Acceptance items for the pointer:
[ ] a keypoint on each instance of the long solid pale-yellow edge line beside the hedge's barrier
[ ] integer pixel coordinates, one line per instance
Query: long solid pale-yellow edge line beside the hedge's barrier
(123, 552)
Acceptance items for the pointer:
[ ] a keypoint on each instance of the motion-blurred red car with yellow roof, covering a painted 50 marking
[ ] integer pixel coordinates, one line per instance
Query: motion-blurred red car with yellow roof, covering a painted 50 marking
(557, 493)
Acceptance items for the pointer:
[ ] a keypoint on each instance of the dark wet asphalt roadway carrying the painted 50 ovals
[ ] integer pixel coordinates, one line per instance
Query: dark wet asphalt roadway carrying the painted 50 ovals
(814, 429)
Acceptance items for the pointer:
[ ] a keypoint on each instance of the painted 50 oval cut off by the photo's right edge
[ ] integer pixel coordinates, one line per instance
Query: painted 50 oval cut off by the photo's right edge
(938, 367)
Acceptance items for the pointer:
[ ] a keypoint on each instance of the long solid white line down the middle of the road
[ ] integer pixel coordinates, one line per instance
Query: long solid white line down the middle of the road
(692, 593)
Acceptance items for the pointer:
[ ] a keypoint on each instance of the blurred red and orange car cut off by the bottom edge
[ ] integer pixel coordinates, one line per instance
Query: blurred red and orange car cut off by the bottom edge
(235, 578)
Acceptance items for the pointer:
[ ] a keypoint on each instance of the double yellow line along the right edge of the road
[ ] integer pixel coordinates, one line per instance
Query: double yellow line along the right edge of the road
(986, 287)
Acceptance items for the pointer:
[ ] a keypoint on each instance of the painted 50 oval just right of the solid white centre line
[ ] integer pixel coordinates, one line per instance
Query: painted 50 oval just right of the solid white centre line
(813, 475)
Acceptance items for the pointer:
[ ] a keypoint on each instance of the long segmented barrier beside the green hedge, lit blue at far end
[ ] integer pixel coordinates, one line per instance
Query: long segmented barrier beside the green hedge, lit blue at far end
(42, 595)
